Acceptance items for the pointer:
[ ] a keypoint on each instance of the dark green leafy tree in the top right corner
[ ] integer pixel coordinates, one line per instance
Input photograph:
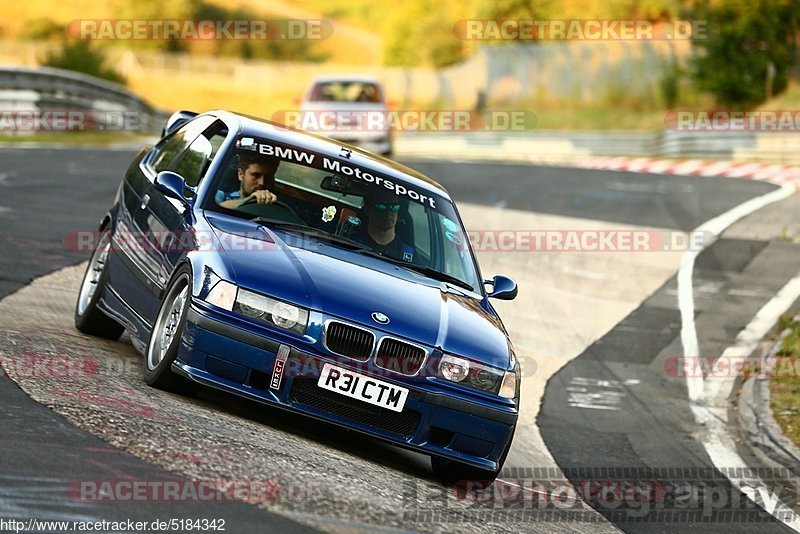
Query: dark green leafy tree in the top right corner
(747, 42)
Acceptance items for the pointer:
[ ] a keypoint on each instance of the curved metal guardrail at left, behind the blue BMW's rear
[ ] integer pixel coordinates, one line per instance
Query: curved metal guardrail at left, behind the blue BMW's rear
(48, 89)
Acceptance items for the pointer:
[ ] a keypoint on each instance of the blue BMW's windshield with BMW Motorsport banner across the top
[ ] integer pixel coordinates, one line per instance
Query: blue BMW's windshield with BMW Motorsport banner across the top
(358, 208)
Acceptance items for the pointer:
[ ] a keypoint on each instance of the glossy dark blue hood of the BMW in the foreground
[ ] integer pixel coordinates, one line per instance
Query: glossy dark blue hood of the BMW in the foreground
(352, 286)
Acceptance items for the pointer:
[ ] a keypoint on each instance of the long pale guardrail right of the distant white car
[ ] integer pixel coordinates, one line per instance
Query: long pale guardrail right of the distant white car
(557, 146)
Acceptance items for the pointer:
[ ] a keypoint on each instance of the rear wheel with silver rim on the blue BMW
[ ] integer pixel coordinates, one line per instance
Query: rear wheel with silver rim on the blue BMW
(88, 317)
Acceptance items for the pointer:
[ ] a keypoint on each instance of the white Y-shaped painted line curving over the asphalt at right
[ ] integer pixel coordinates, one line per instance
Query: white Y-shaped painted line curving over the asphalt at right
(710, 407)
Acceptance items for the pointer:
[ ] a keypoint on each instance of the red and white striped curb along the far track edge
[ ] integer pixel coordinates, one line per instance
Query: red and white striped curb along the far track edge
(694, 167)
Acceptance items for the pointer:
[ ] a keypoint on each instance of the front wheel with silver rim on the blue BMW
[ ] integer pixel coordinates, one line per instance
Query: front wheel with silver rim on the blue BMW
(162, 349)
